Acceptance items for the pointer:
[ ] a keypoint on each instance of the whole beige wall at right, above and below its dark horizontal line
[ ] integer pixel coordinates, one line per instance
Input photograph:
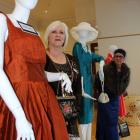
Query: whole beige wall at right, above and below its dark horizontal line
(119, 23)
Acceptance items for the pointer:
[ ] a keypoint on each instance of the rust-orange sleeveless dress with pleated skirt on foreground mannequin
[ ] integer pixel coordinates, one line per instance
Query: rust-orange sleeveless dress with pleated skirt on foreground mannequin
(24, 60)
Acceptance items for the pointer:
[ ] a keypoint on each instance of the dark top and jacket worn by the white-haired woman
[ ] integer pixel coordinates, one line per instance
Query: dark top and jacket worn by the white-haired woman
(72, 69)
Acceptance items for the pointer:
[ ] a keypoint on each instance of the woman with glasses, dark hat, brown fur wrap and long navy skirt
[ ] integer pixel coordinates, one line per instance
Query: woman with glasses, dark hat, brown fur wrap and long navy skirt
(116, 80)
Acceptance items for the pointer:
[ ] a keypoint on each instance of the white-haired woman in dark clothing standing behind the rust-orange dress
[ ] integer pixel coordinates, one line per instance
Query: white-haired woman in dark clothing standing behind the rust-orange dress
(58, 61)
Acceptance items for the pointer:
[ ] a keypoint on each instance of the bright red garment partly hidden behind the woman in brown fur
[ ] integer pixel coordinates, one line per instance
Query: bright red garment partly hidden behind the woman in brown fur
(122, 108)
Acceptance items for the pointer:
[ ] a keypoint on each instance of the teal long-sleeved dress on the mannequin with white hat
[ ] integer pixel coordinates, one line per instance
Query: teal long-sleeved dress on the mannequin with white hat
(85, 60)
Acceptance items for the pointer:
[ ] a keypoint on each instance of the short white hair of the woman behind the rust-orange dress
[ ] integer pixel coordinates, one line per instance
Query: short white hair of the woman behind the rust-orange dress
(53, 26)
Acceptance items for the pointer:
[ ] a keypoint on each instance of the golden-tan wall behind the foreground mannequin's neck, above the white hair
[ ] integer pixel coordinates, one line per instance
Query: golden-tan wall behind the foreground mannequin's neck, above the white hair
(56, 9)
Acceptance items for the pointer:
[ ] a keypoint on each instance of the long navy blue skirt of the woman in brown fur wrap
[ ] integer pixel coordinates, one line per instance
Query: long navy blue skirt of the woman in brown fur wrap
(107, 120)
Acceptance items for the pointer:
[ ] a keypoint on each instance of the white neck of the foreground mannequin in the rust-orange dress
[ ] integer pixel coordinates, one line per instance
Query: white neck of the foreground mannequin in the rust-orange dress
(20, 13)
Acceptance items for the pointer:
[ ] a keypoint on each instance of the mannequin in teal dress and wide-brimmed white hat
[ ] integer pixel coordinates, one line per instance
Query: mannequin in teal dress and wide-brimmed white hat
(84, 33)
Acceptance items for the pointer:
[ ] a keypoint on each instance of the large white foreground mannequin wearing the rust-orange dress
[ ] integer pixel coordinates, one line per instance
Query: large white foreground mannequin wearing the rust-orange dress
(15, 79)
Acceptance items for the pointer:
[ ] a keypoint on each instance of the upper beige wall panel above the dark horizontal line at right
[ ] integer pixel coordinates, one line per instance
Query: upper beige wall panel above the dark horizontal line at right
(117, 17)
